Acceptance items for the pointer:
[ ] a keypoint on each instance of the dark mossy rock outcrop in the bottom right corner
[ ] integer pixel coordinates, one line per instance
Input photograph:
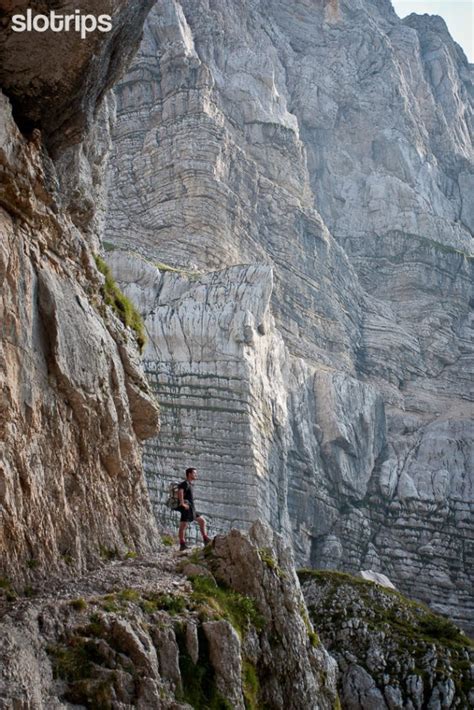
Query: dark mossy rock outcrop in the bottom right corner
(391, 652)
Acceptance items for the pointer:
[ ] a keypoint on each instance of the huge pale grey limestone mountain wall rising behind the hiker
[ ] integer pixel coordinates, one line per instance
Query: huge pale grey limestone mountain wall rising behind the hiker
(328, 142)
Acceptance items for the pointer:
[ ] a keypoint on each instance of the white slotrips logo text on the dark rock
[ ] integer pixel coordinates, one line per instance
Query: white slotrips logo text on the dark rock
(54, 22)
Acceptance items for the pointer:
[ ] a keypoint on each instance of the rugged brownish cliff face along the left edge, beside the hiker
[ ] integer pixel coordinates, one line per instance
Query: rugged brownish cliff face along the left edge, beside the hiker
(74, 403)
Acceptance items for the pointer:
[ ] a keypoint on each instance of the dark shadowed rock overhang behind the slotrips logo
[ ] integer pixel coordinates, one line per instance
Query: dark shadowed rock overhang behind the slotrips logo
(56, 80)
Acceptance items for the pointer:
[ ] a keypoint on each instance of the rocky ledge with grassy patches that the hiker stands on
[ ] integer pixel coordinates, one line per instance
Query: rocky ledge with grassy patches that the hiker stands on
(140, 634)
